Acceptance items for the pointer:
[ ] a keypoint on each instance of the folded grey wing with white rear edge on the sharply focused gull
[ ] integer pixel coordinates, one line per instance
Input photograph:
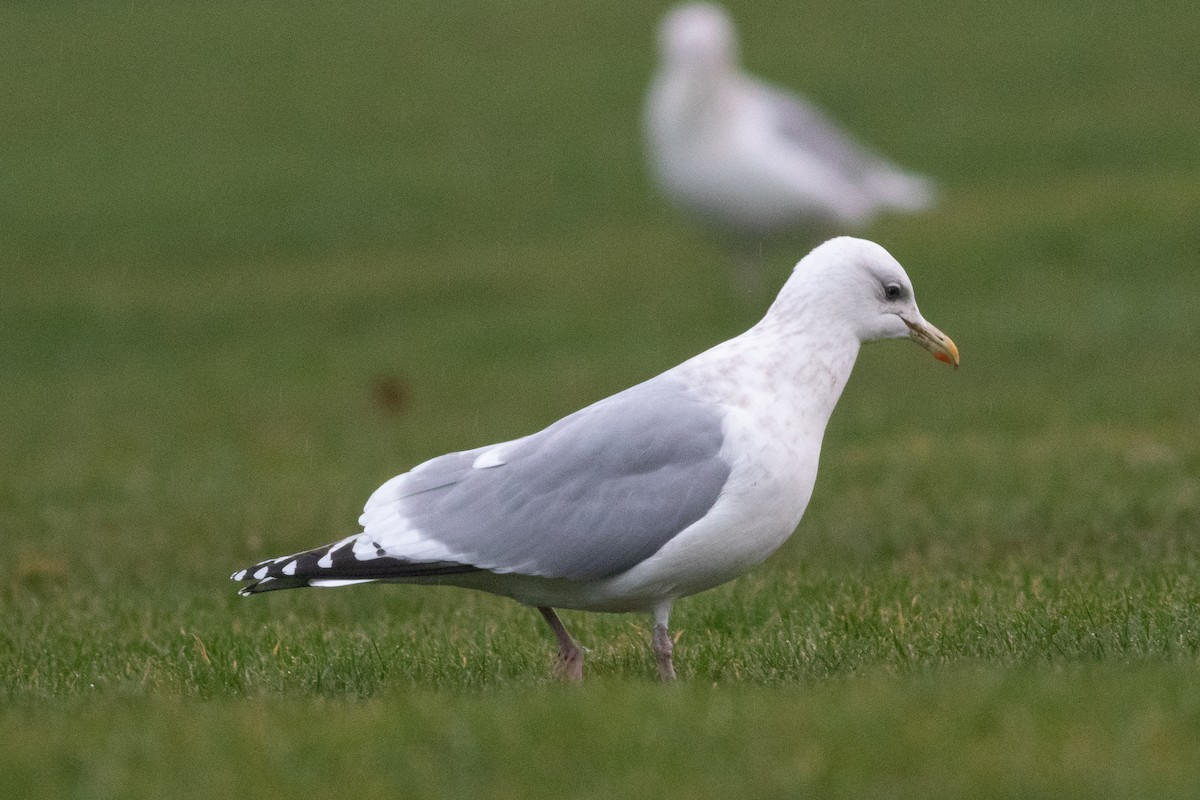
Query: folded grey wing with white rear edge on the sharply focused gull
(590, 497)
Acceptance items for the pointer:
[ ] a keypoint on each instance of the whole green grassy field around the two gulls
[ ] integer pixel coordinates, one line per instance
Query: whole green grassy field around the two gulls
(257, 260)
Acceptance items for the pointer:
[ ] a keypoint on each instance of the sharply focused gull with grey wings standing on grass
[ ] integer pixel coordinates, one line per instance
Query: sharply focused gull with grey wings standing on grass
(662, 491)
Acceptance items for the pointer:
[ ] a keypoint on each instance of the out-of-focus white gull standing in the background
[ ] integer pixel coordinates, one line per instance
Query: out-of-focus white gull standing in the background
(749, 159)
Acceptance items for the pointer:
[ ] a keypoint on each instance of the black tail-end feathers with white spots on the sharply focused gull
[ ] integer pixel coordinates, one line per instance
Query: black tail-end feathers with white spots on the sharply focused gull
(339, 566)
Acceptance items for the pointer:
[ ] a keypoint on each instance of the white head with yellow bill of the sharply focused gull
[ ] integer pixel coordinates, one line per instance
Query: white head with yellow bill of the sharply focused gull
(856, 285)
